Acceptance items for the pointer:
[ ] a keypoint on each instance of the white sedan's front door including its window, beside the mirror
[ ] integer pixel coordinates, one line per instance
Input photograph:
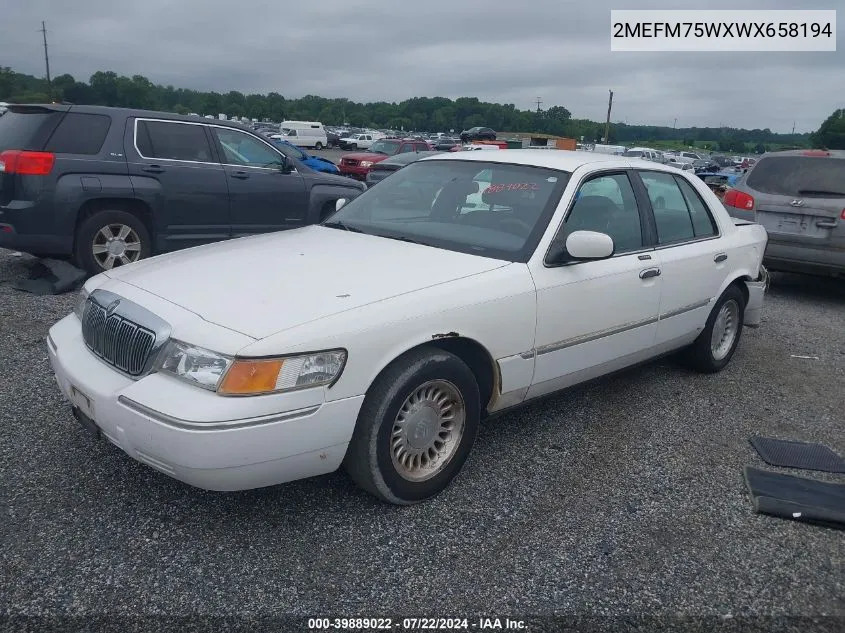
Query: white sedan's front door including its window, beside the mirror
(596, 316)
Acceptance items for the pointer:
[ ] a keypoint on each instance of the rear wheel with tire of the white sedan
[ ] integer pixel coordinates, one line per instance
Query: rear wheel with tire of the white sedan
(706, 356)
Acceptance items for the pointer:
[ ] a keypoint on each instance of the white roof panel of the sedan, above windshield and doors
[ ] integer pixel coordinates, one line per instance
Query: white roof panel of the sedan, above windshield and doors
(563, 160)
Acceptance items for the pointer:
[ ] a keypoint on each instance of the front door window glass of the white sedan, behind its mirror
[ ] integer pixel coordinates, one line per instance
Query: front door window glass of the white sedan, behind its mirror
(607, 204)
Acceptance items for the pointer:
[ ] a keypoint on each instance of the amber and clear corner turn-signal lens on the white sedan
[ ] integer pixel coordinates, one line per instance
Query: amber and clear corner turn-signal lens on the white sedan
(248, 377)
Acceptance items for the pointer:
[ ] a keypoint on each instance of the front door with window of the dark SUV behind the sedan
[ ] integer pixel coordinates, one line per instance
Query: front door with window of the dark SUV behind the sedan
(262, 197)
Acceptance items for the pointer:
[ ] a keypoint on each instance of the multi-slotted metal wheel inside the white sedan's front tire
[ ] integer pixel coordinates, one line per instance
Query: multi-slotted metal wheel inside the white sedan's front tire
(427, 430)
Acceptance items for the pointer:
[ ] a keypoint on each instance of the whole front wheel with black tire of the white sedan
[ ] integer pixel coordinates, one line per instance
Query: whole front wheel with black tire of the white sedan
(402, 396)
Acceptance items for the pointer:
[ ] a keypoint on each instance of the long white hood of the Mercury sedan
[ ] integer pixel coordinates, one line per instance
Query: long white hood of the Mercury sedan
(264, 284)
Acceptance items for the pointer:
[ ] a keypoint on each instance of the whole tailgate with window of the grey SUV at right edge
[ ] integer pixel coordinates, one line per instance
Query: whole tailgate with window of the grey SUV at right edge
(800, 200)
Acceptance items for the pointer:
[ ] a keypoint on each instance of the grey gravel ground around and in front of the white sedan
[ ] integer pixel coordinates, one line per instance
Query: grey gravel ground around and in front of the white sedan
(624, 497)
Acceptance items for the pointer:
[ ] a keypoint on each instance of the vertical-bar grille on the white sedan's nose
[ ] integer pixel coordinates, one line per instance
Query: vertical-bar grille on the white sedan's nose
(120, 342)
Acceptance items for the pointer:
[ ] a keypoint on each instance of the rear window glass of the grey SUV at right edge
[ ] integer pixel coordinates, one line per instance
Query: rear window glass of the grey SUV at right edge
(799, 176)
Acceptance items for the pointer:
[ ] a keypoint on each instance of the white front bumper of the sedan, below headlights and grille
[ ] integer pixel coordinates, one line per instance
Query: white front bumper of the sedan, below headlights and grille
(196, 436)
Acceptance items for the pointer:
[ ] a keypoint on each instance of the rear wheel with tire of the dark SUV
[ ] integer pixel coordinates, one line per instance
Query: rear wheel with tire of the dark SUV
(92, 233)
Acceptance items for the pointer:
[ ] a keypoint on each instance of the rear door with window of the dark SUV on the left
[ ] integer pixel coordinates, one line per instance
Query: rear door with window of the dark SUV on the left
(173, 168)
